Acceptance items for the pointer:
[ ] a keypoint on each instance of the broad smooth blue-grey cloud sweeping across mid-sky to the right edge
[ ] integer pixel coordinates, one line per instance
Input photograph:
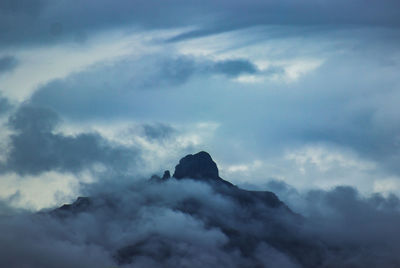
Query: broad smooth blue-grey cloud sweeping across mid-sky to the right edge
(315, 107)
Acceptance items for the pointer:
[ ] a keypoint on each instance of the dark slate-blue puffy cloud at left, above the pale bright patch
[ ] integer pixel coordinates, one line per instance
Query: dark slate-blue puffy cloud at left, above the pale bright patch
(35, 148)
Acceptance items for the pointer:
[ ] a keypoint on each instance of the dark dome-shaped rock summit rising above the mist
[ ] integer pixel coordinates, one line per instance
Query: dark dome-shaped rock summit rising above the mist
(197, 166)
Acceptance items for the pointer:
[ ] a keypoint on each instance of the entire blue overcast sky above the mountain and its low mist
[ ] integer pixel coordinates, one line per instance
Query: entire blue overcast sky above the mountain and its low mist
(306, 93)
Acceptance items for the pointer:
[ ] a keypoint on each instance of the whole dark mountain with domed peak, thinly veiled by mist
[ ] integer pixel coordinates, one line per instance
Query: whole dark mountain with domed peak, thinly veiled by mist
(246, 219)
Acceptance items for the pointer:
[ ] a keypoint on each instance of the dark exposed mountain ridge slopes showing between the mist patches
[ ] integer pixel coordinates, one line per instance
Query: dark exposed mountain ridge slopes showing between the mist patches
(258, 206)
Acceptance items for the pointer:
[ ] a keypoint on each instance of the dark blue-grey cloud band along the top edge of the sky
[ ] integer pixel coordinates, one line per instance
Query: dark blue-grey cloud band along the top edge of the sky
(40, 22)
